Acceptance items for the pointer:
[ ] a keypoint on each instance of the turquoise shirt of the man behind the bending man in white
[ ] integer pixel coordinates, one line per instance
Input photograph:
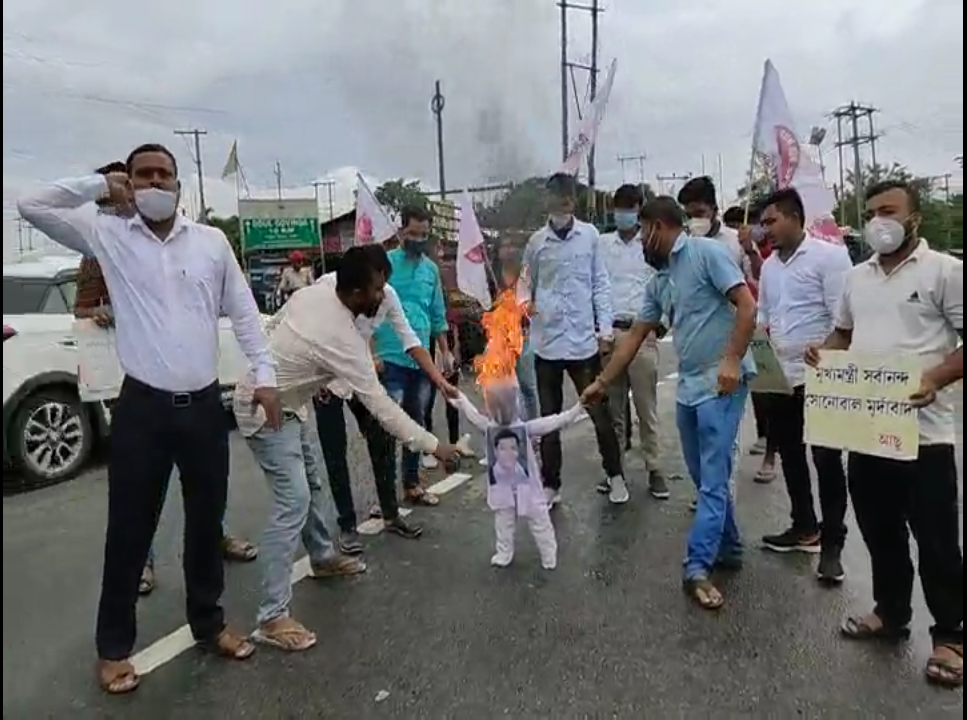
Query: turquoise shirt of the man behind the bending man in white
(417, 284)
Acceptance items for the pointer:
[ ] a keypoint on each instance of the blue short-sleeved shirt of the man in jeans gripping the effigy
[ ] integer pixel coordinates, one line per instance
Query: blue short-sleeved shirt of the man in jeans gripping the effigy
(692, 291)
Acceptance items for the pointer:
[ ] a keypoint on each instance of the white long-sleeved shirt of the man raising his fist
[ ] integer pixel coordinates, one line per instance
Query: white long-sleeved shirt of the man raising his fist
(167, 295)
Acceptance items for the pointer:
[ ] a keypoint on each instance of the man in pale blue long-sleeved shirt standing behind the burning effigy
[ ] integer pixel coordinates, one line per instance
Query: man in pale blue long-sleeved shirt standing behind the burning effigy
(571, 327)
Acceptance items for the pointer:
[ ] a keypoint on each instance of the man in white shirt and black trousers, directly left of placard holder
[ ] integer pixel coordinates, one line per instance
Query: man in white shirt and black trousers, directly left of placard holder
(799, 292)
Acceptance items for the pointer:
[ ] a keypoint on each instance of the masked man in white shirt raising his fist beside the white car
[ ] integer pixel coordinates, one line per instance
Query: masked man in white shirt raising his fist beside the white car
(168, 278)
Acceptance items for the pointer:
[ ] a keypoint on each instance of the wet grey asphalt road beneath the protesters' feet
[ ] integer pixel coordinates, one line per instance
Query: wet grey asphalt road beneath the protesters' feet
(432, 631)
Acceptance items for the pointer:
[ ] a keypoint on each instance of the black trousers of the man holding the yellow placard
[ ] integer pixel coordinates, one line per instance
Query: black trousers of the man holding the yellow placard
(891, 499)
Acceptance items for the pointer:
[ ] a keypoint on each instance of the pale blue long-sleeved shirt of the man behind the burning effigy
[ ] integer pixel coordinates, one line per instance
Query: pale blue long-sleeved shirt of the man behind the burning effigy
(571, 292)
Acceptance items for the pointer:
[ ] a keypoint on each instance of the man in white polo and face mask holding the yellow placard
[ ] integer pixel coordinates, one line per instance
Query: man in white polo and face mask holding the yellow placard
(908, 300)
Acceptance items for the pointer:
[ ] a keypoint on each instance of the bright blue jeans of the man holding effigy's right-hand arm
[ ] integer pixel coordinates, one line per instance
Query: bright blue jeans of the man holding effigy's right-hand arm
(708, 432)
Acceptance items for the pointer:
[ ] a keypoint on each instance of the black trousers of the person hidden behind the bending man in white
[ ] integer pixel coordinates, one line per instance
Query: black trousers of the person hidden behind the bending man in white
(331, 424)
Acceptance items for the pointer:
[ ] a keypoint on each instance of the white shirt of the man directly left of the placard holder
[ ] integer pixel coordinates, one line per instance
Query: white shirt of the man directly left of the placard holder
(799, 298)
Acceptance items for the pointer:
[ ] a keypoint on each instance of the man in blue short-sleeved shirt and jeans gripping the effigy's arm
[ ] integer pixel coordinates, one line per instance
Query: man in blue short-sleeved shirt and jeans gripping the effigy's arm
(714, 318)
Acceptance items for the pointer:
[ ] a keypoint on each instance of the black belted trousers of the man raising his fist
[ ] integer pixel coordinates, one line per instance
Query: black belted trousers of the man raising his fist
(152, 432)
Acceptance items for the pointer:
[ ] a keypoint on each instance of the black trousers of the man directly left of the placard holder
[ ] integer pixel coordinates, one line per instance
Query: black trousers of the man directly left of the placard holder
(787, 430)
